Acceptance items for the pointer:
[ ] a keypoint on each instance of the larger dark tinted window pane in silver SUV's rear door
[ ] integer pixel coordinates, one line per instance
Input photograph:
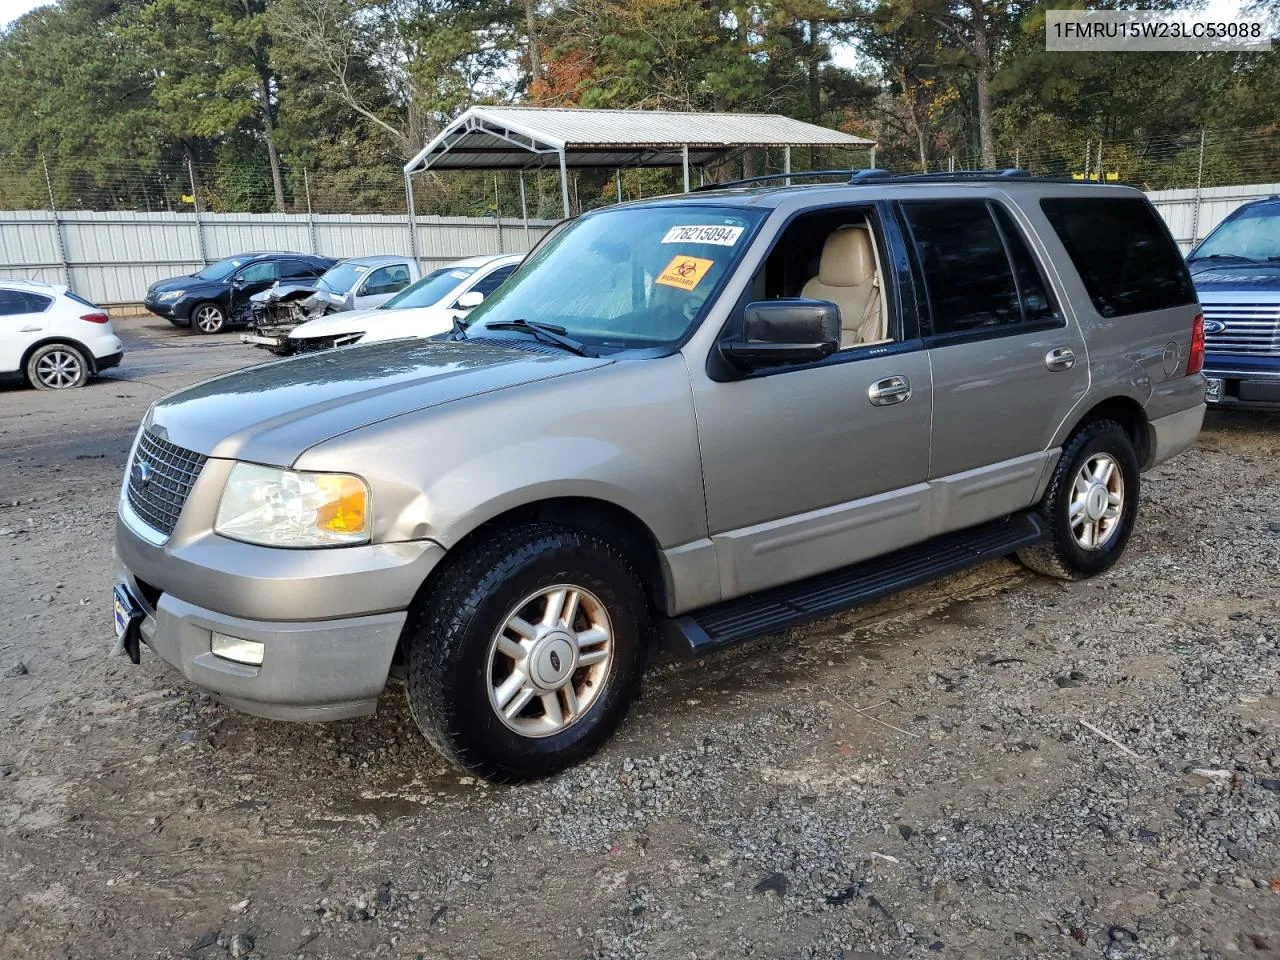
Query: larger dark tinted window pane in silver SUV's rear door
(968, 277)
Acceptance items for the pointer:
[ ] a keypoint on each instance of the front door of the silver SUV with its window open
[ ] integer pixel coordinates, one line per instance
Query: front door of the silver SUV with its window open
(816, 467)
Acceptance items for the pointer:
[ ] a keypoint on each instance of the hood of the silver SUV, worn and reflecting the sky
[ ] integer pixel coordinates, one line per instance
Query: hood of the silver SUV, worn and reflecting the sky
(273, 413)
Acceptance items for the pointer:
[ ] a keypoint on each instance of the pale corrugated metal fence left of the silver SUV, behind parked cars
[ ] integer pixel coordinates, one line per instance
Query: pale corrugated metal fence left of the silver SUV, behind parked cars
(112, 258)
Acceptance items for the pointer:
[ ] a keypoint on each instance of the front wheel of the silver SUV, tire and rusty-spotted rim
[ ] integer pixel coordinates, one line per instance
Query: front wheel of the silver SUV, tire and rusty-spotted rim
(527, 651)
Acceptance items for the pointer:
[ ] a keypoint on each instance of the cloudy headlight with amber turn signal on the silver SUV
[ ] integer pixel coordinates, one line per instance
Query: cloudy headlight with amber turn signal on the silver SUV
(289, 509)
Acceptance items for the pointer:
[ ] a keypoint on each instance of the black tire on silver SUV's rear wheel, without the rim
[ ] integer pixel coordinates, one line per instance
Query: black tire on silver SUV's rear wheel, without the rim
(1062, 555)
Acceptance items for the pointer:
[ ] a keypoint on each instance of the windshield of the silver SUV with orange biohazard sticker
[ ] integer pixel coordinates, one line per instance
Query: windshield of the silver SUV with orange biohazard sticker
(628, 277)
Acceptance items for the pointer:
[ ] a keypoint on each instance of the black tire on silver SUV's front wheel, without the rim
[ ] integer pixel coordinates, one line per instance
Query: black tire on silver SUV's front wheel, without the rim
(455, 621)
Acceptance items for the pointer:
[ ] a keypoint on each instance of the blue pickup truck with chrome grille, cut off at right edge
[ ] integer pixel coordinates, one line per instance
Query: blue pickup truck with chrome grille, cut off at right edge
(1237, 276)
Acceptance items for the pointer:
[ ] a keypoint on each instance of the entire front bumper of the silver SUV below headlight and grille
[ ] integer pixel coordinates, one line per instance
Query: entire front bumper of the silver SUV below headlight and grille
(330, 620)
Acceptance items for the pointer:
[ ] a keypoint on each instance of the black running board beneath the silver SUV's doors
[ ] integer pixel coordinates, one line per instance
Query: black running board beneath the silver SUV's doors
(771, 611)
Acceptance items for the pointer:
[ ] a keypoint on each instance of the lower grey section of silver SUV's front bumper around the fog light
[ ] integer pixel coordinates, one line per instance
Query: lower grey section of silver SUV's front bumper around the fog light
(312, 671)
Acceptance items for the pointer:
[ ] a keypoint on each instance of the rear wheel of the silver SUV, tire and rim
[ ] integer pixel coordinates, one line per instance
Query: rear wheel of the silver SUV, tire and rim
(1091, 505)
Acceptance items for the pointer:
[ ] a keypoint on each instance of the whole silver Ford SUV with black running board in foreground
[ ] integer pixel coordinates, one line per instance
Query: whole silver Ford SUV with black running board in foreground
(689, 420)
